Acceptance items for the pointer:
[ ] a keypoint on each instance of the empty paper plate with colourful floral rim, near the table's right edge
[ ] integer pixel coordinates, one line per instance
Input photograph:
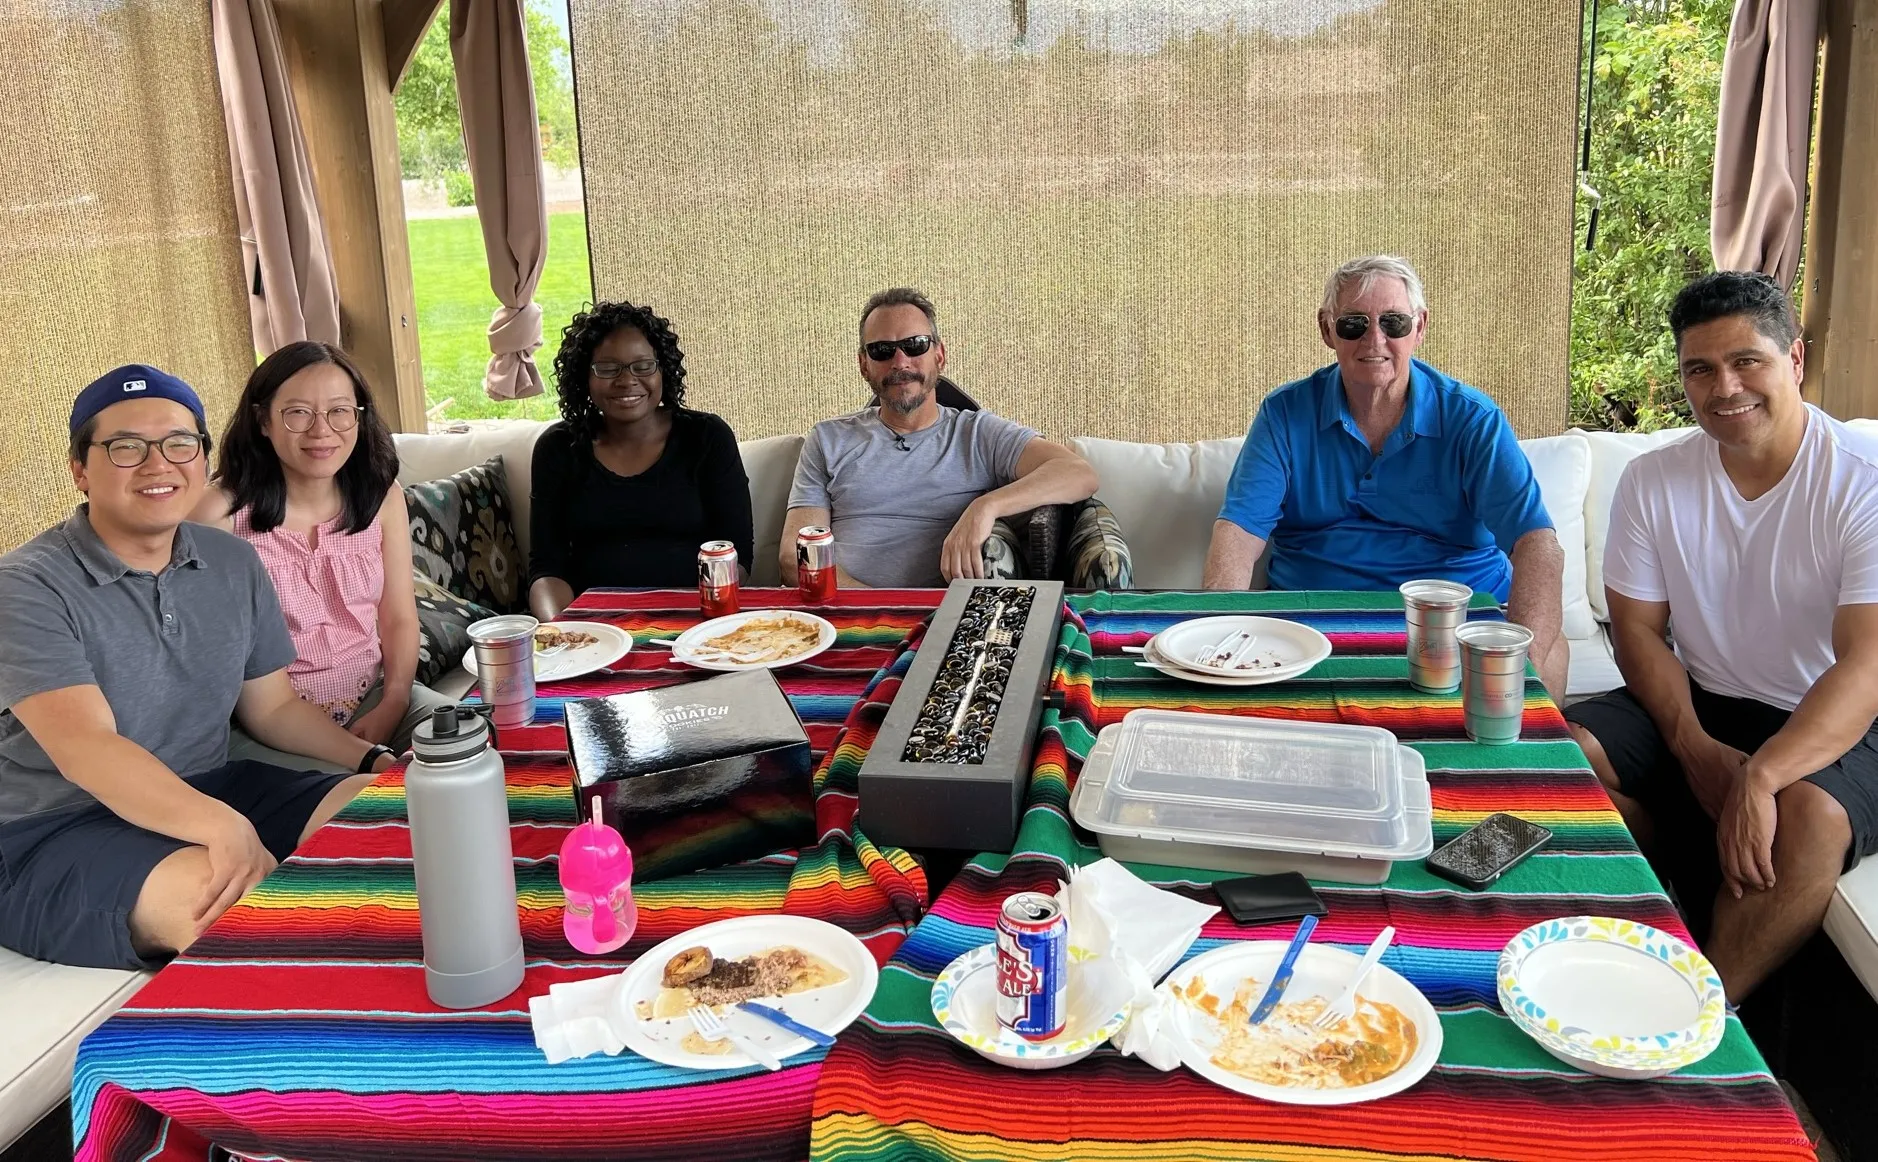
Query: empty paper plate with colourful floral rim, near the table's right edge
(1612, 998)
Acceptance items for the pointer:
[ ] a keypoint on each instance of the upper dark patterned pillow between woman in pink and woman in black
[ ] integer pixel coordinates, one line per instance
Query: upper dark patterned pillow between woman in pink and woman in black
(463, 536)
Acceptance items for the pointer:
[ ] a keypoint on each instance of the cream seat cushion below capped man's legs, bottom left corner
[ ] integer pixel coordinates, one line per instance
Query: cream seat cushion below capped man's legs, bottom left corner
(46, 1011)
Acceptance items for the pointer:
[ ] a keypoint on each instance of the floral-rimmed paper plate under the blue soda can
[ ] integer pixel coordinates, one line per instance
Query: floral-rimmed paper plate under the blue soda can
(966, 1003)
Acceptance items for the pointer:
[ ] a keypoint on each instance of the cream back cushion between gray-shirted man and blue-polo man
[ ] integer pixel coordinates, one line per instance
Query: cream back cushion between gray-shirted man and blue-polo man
(1165, 498)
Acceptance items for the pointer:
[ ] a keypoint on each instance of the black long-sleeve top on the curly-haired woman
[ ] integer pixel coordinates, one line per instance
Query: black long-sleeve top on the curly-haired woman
(598, 528)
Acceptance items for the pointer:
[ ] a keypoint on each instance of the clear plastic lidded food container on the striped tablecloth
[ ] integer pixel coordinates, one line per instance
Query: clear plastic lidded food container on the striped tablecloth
(1255, 795)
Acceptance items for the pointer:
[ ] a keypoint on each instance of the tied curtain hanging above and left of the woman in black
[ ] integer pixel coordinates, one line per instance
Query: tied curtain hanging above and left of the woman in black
(497, 99)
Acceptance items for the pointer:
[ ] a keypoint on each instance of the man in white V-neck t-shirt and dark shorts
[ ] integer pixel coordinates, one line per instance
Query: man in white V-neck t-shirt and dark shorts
(1757, 542)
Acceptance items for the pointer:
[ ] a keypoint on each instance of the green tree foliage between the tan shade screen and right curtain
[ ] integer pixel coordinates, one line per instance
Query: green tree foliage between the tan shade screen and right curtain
(1654, 99)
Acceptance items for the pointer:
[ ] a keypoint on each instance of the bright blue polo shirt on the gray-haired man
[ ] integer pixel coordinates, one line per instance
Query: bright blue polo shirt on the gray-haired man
(1447, 498)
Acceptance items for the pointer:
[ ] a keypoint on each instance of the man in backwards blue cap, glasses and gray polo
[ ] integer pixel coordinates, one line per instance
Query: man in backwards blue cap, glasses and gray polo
(127, 643)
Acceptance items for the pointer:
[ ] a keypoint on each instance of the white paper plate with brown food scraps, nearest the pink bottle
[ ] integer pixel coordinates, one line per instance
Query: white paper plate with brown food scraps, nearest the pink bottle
(829, 1011)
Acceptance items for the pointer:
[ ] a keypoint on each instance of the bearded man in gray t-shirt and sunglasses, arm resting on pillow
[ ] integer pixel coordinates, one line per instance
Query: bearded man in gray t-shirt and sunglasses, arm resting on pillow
(912, 489)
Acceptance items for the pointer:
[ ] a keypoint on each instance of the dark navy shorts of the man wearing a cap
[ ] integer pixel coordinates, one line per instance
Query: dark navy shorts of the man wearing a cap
(70, 878)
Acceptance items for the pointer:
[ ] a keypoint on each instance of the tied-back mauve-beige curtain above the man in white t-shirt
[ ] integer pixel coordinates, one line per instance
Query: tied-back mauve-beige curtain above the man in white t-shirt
(1763, 138)
